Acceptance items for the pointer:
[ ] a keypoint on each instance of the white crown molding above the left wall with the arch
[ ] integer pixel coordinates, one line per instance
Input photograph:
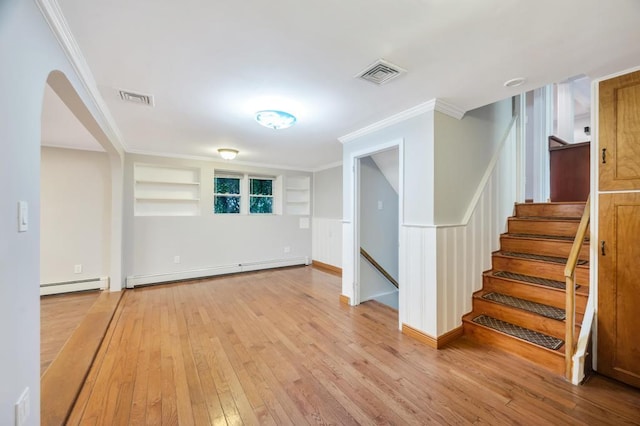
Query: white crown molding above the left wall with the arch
(52, 14)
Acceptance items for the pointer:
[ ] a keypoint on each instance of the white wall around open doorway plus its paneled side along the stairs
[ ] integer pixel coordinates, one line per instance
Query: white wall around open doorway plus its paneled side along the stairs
(445, 165)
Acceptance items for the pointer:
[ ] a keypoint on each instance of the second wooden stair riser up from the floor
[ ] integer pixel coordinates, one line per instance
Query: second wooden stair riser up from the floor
(519, 317)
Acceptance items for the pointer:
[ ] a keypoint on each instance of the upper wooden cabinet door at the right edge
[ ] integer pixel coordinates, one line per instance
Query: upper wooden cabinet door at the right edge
(619, 129)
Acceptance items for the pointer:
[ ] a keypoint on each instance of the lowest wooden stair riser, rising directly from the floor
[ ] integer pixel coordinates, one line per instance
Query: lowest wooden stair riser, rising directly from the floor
(551, 360)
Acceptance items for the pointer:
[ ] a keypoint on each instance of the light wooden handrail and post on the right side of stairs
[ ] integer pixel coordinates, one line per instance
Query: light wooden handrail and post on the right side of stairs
(570, 280)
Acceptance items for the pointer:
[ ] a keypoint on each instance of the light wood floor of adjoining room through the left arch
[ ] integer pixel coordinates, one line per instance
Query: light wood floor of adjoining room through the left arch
(60, 315)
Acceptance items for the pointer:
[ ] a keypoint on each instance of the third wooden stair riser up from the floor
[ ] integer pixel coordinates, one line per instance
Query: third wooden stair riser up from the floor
(546, 296)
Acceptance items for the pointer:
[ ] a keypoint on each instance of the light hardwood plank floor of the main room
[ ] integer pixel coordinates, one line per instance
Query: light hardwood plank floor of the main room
(277, 347)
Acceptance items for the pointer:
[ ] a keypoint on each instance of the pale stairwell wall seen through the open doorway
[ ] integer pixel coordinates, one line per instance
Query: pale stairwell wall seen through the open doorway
(378, 230)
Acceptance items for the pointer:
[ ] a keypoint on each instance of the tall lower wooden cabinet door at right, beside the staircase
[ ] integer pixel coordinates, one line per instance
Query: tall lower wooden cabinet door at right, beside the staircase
(619, 287)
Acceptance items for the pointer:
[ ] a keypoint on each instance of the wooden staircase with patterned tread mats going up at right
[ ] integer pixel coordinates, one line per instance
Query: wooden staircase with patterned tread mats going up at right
(520, 307)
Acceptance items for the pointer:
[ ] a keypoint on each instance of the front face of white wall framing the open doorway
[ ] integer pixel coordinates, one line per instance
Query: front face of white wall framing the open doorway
(414, 137)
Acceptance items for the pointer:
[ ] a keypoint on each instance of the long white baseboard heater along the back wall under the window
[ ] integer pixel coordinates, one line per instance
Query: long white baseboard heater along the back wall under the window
(137, 280)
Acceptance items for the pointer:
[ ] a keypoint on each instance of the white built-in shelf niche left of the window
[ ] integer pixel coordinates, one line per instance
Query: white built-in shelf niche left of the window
(166, 190)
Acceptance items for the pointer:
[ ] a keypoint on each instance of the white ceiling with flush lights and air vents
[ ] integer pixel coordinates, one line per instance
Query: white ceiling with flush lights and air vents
(210, 64)
